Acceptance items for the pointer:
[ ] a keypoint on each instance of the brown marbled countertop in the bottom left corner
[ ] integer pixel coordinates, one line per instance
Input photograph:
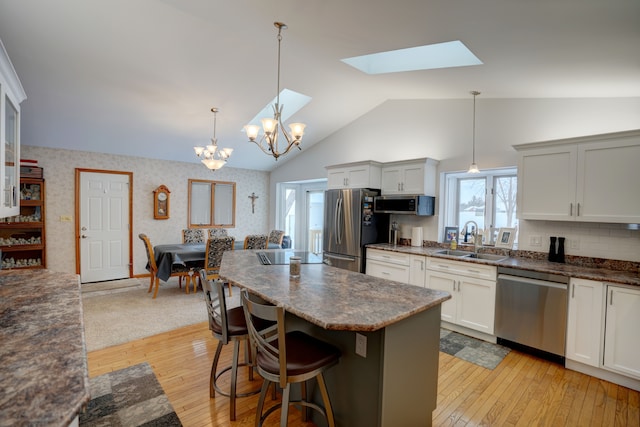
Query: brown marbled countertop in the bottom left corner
(43, 375)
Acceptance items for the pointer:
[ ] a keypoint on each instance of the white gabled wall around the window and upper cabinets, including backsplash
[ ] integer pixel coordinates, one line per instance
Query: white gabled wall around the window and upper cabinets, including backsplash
(442, 130)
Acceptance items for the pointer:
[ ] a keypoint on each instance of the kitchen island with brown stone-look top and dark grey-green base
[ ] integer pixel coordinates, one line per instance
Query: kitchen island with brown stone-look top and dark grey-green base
(392, 379)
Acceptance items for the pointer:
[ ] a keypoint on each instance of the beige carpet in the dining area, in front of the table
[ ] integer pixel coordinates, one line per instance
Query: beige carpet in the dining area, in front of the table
(112, 318)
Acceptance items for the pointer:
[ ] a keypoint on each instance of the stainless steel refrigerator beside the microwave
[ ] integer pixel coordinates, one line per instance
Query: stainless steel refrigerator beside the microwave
(349, 225)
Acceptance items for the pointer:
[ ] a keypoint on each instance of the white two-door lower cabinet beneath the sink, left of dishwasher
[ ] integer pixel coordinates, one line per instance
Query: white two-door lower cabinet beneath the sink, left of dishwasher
(473, 292)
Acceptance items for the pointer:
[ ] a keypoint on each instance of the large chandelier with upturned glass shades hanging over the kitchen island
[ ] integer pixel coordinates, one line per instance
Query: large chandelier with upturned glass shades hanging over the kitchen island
(268, 142)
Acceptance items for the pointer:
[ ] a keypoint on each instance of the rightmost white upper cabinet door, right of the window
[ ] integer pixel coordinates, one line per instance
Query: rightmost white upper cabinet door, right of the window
(608, 175)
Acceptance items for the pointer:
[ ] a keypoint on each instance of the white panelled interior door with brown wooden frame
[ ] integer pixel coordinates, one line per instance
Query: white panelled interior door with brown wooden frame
(104, 226)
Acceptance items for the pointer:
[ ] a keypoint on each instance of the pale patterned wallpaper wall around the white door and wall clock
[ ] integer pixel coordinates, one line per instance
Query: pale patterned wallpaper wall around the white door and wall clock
(59, 173)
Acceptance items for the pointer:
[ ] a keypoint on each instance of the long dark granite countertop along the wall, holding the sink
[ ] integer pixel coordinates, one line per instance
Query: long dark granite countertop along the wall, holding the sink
(626, 274)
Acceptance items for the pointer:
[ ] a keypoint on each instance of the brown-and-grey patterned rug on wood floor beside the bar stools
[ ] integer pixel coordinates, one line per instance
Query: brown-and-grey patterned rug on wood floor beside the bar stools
(128, 397)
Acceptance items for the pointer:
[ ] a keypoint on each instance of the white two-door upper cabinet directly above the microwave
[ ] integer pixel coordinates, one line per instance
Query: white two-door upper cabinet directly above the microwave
(409, 177)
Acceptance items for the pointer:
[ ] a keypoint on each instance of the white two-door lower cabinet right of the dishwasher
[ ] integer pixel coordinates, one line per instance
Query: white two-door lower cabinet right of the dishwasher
(602, 329)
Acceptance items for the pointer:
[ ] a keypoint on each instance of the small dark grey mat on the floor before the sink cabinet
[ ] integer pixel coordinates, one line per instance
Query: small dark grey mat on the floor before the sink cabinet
(472, 350)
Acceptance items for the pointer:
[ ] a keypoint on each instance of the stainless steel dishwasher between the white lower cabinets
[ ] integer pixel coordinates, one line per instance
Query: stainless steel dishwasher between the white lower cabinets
(531, 310)
